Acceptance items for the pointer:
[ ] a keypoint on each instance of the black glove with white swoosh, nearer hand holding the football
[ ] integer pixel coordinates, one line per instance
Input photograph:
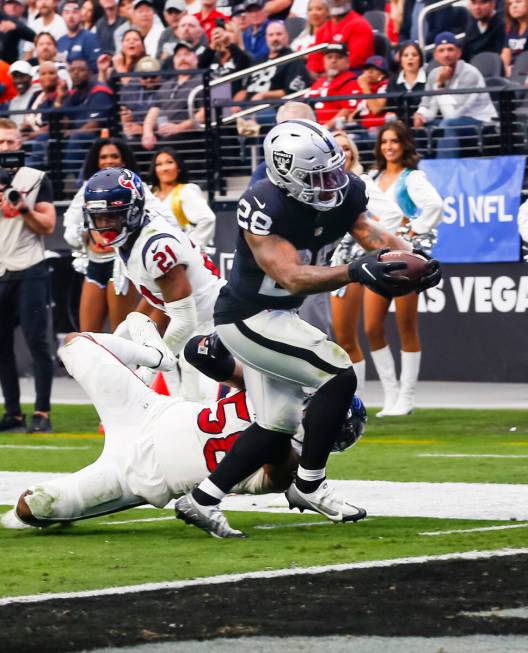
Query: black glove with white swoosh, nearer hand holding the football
(371, 272)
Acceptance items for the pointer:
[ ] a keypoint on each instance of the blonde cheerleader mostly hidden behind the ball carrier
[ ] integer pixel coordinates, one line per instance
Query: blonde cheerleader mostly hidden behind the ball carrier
(346, 302)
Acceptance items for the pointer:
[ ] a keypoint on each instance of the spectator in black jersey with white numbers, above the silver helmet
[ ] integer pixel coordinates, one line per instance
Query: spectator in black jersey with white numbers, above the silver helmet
(276, 82)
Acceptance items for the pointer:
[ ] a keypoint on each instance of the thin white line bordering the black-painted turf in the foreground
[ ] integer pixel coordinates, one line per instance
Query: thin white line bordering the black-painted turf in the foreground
(277, 573)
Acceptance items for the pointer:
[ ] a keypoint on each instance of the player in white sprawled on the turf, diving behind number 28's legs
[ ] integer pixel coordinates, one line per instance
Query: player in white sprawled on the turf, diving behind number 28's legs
(156, 448)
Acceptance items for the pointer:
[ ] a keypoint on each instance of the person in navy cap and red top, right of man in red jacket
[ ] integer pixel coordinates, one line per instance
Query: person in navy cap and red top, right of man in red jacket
(370, 113)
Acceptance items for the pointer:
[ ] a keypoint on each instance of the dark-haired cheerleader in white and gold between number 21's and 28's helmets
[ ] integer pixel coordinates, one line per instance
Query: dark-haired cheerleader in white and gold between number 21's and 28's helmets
(185, 201)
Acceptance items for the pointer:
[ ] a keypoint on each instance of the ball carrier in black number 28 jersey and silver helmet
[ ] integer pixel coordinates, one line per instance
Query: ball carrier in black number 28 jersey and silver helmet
(290, 225)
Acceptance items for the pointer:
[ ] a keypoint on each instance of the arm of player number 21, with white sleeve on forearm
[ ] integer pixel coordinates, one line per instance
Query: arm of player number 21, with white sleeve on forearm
(179, 306)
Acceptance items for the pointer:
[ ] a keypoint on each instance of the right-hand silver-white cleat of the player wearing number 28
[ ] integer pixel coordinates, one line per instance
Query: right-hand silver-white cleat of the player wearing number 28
(325, 502)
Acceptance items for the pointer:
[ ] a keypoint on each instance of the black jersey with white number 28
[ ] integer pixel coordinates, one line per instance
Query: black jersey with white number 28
(265, 209)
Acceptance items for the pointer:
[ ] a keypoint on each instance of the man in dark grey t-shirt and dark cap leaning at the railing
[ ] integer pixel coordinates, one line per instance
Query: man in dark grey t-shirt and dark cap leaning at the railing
(169, 116)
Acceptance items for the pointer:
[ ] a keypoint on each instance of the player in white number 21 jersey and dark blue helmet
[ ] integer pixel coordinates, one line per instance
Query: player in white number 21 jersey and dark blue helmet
(167, 269)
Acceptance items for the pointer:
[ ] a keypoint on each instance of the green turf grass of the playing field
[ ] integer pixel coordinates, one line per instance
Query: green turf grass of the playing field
(99, 553)
